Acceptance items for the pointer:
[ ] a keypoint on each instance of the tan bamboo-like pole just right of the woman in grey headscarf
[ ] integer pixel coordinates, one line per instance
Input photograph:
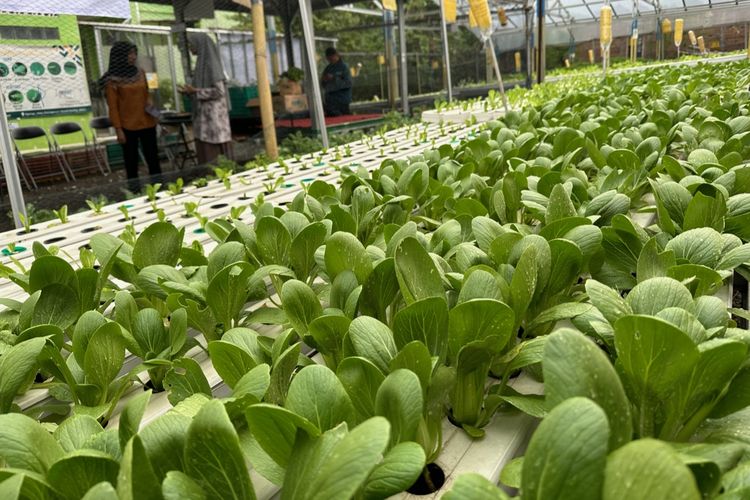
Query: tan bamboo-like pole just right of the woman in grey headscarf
(264, 86)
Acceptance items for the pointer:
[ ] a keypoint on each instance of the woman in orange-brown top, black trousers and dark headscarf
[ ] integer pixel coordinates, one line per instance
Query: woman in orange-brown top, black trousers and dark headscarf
(131, 112)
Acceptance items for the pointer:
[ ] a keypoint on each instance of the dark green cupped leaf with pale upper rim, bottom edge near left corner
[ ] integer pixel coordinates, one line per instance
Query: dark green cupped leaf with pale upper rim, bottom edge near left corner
(79, 471)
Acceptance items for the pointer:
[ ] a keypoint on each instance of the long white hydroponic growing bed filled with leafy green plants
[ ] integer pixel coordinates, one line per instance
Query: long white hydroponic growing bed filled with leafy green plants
(401, 314)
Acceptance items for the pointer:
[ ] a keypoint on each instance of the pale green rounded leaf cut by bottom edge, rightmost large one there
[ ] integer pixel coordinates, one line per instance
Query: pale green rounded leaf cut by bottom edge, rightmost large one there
(648, 469)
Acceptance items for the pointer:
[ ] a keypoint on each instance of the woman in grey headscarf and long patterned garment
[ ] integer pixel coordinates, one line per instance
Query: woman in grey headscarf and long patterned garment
(211, 128)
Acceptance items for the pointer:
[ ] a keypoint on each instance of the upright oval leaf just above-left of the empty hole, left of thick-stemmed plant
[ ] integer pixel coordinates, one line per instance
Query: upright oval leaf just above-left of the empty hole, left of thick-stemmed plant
(399, 399)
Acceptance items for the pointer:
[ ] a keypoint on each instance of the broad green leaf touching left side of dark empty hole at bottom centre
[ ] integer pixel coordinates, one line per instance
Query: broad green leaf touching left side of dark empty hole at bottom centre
(399, 469)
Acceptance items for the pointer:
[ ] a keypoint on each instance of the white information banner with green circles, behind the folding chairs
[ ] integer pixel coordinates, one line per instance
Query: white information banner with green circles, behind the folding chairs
(39, 81)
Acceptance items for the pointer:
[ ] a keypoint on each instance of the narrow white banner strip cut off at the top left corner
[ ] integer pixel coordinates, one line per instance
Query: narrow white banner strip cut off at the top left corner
(99, 8)
